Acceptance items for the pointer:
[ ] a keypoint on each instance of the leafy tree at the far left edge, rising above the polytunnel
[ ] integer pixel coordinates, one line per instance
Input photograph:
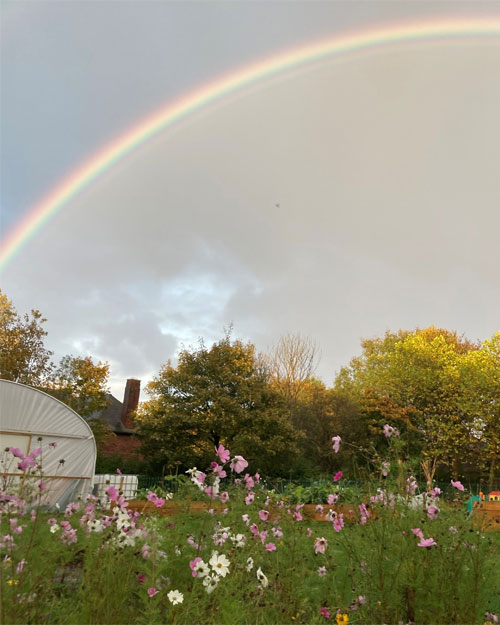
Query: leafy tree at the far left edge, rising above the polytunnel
(23, 356)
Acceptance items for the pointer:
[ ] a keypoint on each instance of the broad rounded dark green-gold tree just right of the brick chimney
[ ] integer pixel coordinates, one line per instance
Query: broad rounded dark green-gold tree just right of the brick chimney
(213, 396)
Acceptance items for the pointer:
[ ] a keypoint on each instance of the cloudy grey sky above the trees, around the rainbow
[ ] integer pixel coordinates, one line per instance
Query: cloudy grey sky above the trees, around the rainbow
(339, 200)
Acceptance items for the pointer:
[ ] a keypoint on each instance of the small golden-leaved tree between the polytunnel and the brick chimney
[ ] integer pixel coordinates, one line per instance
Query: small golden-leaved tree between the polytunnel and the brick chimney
(80, 384)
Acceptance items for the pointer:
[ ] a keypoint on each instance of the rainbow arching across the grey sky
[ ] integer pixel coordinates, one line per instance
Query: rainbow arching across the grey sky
(174, 111)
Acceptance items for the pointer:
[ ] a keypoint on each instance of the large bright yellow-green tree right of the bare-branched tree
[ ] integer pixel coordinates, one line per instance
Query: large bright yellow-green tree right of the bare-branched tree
(413, 378)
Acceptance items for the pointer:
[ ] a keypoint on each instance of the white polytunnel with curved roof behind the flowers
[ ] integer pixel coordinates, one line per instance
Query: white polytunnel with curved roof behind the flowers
(30, 419)
